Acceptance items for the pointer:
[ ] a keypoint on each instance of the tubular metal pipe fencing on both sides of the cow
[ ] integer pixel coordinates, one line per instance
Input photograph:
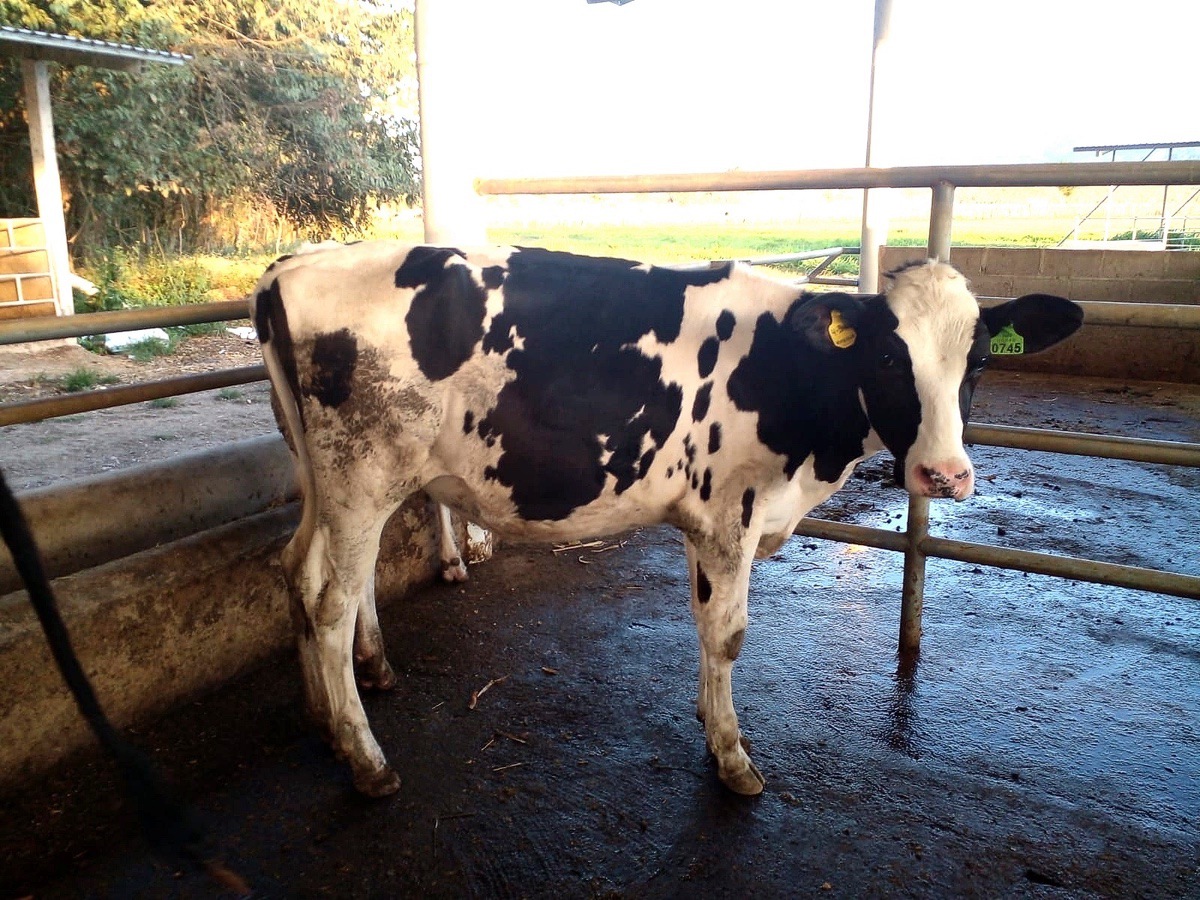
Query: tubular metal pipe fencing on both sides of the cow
(916, 544)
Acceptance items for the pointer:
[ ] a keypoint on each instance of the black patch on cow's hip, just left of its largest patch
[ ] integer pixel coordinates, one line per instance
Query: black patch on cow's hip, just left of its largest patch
(446, 320)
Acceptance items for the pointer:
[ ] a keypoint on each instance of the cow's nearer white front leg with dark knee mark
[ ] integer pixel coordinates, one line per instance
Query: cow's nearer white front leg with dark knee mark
(721, 581)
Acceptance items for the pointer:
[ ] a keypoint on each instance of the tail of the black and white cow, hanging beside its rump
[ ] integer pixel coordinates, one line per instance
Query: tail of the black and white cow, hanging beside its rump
(272, 326)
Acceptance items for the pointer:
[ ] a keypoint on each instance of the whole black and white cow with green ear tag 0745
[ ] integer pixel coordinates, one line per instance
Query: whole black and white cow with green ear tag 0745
(554, 397)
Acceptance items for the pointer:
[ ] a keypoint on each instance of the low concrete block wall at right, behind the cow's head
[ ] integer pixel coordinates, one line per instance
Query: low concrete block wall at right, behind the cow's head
(1119, 275)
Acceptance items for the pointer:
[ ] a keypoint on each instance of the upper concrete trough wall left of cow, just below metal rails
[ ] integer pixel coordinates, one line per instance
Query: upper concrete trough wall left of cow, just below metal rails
(83, 524)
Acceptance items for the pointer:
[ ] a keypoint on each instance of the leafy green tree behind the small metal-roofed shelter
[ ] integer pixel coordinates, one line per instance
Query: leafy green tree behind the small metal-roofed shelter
(291, 110)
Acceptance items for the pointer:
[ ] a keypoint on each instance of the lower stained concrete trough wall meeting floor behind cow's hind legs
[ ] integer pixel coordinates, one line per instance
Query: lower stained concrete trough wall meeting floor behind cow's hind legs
(161, 627)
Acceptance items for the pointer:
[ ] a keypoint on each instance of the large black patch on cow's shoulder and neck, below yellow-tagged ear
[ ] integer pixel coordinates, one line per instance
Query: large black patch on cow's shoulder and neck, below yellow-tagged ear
(807, 400)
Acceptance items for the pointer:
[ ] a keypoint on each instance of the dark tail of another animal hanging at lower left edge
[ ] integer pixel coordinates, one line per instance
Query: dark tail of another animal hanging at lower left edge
(166, 823)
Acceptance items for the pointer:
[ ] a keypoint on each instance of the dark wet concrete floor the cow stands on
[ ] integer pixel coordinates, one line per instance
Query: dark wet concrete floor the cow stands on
(1046, 743)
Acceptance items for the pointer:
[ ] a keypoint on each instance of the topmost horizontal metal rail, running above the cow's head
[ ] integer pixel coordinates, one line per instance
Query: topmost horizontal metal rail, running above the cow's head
(1059, 175)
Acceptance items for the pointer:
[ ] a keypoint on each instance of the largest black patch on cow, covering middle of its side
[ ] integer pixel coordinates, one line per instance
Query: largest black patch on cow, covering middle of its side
(579, 375)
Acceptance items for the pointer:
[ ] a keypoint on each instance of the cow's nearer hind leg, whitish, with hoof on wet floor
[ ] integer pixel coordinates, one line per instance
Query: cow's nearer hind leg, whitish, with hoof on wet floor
(329, 577)
